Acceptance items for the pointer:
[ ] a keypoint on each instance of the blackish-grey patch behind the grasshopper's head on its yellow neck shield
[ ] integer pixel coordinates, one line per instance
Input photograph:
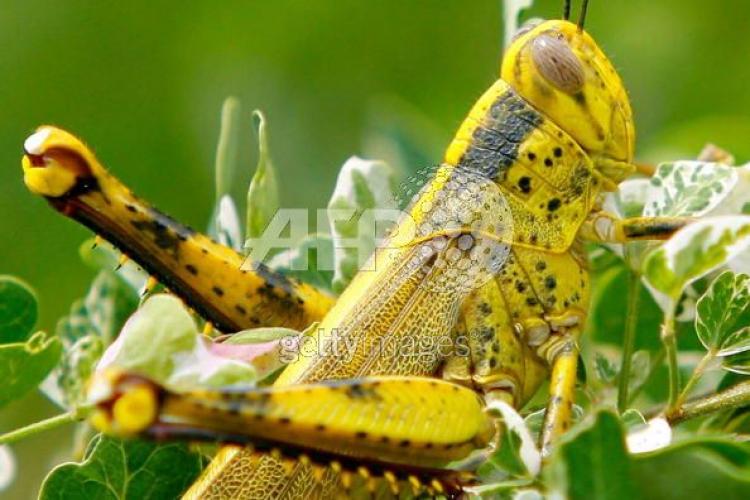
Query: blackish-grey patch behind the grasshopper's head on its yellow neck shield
(496, 140)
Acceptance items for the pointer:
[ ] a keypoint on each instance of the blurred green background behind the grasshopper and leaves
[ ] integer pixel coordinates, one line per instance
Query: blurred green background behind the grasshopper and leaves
(143, 82)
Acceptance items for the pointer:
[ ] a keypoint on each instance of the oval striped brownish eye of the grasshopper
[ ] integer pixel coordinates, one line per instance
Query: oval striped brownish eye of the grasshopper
(557, 63)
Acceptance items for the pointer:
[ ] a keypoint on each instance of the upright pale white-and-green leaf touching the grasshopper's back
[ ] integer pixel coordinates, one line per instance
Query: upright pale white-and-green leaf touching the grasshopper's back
(362, 189)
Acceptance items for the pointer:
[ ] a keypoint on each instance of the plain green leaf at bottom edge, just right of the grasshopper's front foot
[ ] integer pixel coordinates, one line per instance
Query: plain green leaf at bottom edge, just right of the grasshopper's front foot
(592, 462)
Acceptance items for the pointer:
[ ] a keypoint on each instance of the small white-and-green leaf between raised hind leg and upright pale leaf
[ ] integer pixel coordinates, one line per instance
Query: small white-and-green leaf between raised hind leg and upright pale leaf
(310, 261)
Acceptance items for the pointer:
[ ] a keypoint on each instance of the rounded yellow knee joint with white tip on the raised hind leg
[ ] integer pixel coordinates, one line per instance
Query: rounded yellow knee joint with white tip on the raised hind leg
(56, 162)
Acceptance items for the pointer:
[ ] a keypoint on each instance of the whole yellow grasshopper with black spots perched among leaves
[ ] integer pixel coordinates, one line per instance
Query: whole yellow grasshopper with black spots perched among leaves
(488, 261)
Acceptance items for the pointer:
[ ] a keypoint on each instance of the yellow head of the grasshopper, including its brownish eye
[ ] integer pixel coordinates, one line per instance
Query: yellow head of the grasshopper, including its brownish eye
(560, 69)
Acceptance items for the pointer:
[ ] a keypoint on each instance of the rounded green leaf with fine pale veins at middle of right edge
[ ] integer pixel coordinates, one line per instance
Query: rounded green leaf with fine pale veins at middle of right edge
(723, 311)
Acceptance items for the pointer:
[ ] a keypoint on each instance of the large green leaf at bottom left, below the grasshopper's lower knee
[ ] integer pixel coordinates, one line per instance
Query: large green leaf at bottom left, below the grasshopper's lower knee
(115, 469)
